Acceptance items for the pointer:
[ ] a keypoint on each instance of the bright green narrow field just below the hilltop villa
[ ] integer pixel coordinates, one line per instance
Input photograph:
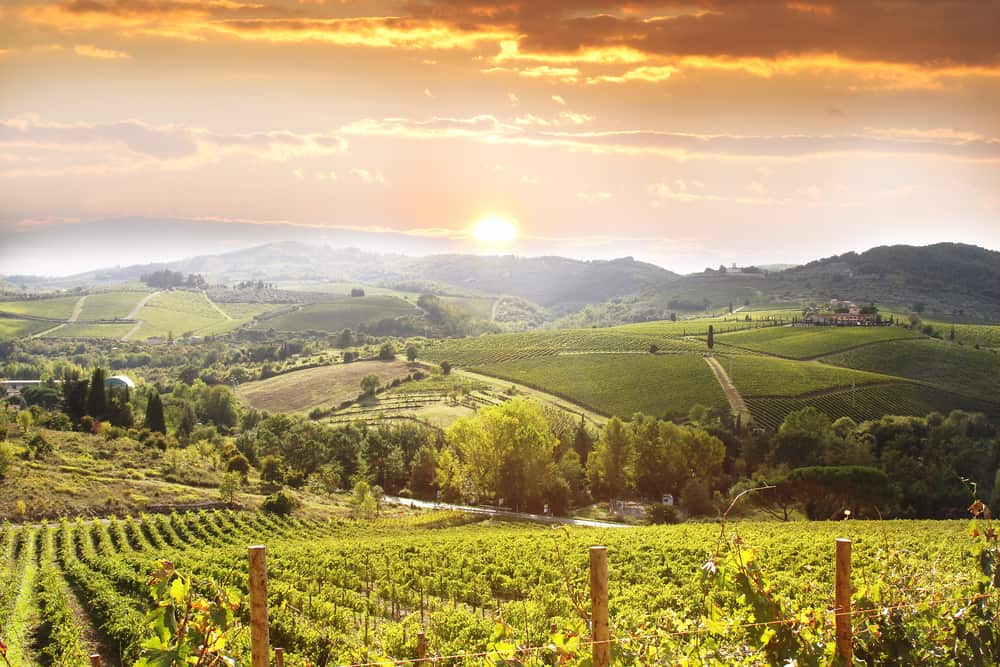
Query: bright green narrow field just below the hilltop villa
(811, 342)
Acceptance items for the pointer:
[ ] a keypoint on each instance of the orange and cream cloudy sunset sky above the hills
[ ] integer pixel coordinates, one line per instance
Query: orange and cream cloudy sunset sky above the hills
(688, 133)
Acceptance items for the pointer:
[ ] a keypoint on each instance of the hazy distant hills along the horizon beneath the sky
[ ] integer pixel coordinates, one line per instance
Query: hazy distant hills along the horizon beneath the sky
(943, 279)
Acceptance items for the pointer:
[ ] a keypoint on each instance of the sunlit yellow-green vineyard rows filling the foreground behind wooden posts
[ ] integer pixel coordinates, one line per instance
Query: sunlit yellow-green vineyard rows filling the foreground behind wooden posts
(342, 592)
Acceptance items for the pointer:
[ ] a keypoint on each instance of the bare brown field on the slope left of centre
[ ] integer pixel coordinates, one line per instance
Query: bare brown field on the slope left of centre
(321, 387)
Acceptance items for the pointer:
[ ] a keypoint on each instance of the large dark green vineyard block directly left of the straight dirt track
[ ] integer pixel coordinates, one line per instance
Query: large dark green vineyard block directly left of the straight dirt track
(619, 384)
